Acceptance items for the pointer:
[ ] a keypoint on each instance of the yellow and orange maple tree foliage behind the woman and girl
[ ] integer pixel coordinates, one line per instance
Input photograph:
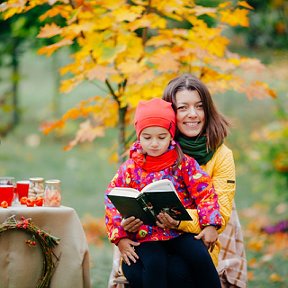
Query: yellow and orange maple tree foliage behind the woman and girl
(131, 49)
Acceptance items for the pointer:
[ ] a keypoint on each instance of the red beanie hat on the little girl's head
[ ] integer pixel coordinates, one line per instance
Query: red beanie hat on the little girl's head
(155, 112)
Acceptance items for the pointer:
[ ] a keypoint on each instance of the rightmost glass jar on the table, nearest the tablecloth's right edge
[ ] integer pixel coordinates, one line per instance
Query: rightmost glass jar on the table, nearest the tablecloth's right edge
(52, 194)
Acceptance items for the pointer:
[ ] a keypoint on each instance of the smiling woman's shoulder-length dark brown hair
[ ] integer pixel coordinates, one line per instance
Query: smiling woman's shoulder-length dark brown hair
(216, 125)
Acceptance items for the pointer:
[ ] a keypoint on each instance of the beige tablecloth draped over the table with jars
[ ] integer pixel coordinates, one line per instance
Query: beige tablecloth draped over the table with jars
(21, 265)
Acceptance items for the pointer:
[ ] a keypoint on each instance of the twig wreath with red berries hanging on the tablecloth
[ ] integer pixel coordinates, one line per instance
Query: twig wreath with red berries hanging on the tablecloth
(47, 243)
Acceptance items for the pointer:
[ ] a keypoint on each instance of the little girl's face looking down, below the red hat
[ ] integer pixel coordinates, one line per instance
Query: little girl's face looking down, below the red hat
(155, 140)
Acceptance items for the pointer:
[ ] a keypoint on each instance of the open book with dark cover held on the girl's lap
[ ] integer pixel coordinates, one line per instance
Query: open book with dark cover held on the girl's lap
(149, 202)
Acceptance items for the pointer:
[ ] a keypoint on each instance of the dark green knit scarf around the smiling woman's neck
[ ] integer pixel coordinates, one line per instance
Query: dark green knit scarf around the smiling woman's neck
(195, 147)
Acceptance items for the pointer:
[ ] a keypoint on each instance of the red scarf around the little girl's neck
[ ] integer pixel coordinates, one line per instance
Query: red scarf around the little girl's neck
(150, 163)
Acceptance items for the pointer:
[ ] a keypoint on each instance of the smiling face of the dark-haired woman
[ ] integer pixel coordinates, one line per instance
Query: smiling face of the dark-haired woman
(190, 113)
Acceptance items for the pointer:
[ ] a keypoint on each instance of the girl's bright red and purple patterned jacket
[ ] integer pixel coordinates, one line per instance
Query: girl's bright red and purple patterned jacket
(193, 185)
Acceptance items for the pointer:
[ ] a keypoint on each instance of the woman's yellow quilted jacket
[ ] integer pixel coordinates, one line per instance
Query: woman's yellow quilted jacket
(221, 169)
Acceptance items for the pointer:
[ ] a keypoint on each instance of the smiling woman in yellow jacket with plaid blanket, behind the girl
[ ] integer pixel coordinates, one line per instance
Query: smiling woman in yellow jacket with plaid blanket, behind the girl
(201, 132)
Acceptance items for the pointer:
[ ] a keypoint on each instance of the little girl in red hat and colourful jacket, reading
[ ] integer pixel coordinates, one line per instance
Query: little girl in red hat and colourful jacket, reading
(156, 156)
